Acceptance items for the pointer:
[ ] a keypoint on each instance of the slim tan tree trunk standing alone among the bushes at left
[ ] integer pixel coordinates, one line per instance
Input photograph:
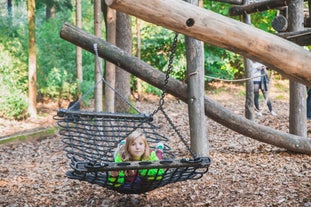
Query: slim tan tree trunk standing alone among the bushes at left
(32, 61)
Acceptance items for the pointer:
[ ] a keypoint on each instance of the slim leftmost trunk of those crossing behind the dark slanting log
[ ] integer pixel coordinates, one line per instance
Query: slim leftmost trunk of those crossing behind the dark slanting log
(79, 49)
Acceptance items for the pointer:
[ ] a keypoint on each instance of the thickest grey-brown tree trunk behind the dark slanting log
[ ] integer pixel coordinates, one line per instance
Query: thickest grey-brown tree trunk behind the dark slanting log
(123, 41)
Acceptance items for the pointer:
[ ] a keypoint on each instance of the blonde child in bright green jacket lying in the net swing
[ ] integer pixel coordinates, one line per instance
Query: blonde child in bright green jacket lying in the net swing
(135, 148)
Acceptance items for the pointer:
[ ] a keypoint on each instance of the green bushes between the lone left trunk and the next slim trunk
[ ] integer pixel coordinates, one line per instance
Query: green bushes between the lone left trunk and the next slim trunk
(56, 62)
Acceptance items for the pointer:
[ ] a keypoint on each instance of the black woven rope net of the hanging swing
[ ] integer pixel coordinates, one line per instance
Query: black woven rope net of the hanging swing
(90, 139)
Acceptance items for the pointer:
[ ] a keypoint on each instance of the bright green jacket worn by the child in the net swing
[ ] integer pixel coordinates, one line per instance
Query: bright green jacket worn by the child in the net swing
(149, 174)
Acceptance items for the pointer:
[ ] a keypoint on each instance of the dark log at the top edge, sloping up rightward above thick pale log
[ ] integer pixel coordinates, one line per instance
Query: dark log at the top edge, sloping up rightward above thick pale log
(256, 7)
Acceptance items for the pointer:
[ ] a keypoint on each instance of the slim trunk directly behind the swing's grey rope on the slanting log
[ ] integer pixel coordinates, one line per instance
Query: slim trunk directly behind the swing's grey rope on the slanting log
(98, 60)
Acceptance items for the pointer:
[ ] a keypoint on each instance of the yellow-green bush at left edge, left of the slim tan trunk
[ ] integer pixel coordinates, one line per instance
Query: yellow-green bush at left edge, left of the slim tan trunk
(13, 80)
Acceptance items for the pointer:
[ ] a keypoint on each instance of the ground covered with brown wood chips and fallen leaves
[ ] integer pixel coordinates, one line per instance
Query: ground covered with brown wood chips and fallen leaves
(244, 172)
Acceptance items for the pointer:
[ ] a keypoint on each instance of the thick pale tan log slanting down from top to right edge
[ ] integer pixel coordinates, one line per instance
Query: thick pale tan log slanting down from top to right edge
(223, 32)
